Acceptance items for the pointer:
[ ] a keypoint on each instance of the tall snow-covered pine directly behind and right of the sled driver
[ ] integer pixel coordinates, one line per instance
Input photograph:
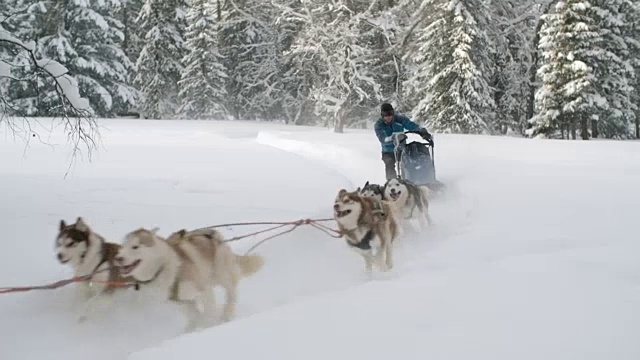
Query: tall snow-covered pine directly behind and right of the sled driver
(450, 81)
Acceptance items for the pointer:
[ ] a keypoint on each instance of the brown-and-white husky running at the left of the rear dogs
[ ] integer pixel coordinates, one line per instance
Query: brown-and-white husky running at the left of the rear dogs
(366, 223)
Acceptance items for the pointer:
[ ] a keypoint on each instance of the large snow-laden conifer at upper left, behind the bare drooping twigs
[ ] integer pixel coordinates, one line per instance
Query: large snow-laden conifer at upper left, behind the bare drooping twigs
(86, 38)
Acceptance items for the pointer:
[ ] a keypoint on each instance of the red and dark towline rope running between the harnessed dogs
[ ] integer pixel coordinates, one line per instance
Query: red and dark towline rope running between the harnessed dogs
(293, 225)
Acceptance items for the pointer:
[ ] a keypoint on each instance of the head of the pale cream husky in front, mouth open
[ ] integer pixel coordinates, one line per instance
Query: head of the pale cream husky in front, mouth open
(140, 256)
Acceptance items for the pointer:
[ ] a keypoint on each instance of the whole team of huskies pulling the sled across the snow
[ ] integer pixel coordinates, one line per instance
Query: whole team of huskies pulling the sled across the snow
(187, 265)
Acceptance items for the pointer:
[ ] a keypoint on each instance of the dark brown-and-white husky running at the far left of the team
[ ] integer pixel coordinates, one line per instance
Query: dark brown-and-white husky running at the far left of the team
(88, 253)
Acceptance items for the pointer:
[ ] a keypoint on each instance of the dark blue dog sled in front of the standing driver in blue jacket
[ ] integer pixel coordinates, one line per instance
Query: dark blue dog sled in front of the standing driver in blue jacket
(415, 161)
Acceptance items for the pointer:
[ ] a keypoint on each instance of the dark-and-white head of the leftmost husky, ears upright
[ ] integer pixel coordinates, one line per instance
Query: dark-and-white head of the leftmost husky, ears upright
(72, 242)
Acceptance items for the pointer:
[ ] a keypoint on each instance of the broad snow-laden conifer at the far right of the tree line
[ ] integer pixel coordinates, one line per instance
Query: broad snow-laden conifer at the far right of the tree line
(582, 75)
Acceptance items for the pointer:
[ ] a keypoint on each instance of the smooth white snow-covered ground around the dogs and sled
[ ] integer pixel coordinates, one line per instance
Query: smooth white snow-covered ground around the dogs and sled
(534, 255)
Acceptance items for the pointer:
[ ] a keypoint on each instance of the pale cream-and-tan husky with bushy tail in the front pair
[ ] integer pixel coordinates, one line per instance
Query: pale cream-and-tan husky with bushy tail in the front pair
(186, 267)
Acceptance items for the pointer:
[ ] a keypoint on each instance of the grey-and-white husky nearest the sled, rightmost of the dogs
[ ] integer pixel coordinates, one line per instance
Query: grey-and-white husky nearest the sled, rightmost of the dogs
(410, 198)
